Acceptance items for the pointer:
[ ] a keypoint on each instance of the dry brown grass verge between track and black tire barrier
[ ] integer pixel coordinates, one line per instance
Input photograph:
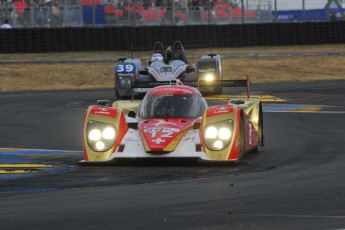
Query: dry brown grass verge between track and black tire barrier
(269, 67)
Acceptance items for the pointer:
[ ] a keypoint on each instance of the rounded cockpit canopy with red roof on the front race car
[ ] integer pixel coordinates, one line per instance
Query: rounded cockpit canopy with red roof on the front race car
(172, 102)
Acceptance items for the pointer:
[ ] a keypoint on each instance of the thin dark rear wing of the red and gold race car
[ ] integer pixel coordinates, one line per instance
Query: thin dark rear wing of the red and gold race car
(197, 84)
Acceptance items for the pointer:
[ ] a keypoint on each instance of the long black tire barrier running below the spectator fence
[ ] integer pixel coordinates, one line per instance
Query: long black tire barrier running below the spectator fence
(38, 40)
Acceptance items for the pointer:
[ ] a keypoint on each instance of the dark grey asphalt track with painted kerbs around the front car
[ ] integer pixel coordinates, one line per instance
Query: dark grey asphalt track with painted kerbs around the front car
(295, 182)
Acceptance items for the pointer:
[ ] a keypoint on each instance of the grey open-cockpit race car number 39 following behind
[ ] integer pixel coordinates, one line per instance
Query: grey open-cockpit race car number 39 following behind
(165, 64)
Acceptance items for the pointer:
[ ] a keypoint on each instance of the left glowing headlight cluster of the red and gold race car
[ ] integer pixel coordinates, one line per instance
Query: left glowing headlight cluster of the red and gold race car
(100, 136)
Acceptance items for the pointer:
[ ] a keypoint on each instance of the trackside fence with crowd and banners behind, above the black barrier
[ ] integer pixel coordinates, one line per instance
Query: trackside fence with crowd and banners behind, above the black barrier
(181, 12)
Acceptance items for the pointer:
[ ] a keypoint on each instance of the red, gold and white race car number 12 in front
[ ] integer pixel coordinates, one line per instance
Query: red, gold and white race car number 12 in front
(173, 121)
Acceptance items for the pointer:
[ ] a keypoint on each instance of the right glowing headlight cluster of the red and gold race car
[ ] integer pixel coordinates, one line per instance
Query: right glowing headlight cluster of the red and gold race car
(218, 135)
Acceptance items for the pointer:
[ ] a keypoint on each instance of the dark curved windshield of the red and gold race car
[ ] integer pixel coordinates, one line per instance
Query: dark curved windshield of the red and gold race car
(172, 106)
